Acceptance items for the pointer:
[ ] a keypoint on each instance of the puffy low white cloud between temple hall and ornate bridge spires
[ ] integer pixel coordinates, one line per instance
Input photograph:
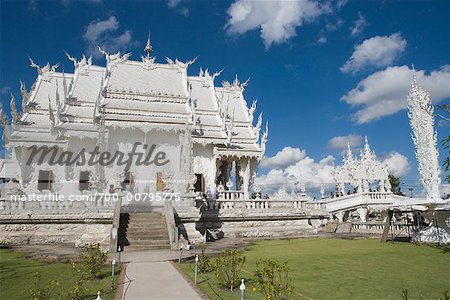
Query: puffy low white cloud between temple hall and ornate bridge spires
(305, 169)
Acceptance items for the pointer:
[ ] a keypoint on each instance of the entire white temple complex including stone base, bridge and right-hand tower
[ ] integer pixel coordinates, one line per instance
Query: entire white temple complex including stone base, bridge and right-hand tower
(151, 129)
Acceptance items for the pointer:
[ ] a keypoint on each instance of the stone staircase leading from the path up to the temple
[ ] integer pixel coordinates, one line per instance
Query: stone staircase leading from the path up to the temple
(139, 231)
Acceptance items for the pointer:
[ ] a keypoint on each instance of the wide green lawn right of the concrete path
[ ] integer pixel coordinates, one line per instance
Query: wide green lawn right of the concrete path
(325, 268)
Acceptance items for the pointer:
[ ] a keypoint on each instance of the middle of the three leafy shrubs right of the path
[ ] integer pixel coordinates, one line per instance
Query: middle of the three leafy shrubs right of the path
(228, 268)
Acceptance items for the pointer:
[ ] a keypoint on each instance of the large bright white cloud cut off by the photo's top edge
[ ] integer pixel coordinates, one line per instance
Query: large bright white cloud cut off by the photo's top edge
(277, 20)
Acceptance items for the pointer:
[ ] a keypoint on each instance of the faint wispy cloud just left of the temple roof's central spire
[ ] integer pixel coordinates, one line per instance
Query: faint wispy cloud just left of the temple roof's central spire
(104, 33)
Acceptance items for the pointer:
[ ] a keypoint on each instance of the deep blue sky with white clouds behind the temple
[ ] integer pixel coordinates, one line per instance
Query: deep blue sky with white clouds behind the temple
(304, 59)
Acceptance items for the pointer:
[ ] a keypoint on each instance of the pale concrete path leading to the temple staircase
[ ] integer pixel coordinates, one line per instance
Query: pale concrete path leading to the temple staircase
(156, 280)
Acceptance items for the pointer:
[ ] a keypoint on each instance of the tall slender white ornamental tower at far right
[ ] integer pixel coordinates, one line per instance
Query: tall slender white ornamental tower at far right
(421, 119)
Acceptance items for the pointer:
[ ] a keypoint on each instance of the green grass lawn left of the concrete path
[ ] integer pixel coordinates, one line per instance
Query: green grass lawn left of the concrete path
(16, 277)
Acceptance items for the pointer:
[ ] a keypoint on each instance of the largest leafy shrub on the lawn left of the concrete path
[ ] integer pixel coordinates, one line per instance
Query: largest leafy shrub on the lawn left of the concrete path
(92, 260)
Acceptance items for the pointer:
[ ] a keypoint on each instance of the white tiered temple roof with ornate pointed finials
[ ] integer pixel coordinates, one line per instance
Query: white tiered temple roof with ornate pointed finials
(143, 93)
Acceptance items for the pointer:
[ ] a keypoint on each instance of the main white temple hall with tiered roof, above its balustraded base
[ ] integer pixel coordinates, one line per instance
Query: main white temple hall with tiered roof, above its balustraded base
(202, 129)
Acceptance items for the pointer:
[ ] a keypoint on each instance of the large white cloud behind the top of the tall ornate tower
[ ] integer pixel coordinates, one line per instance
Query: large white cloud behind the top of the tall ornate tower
(384, 93)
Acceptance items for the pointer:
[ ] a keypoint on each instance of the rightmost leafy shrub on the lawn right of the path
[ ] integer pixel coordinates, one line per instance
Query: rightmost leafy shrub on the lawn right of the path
(272, 278)
